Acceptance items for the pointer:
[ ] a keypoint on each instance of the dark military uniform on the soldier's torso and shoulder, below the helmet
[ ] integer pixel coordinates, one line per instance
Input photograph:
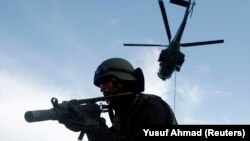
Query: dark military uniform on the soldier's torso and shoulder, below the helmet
(131, 114)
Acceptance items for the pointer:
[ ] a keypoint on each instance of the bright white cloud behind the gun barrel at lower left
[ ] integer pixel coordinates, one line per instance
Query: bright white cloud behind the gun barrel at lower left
(19, 94)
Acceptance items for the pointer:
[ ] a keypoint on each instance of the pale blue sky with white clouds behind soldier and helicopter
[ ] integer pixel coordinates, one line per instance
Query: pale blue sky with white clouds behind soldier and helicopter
(51, 48)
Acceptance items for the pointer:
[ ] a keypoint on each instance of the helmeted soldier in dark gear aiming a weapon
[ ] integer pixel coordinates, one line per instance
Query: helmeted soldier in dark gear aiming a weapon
(131, 110)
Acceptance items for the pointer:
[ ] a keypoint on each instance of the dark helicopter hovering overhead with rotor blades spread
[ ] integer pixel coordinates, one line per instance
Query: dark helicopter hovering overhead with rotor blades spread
(171, 59)
